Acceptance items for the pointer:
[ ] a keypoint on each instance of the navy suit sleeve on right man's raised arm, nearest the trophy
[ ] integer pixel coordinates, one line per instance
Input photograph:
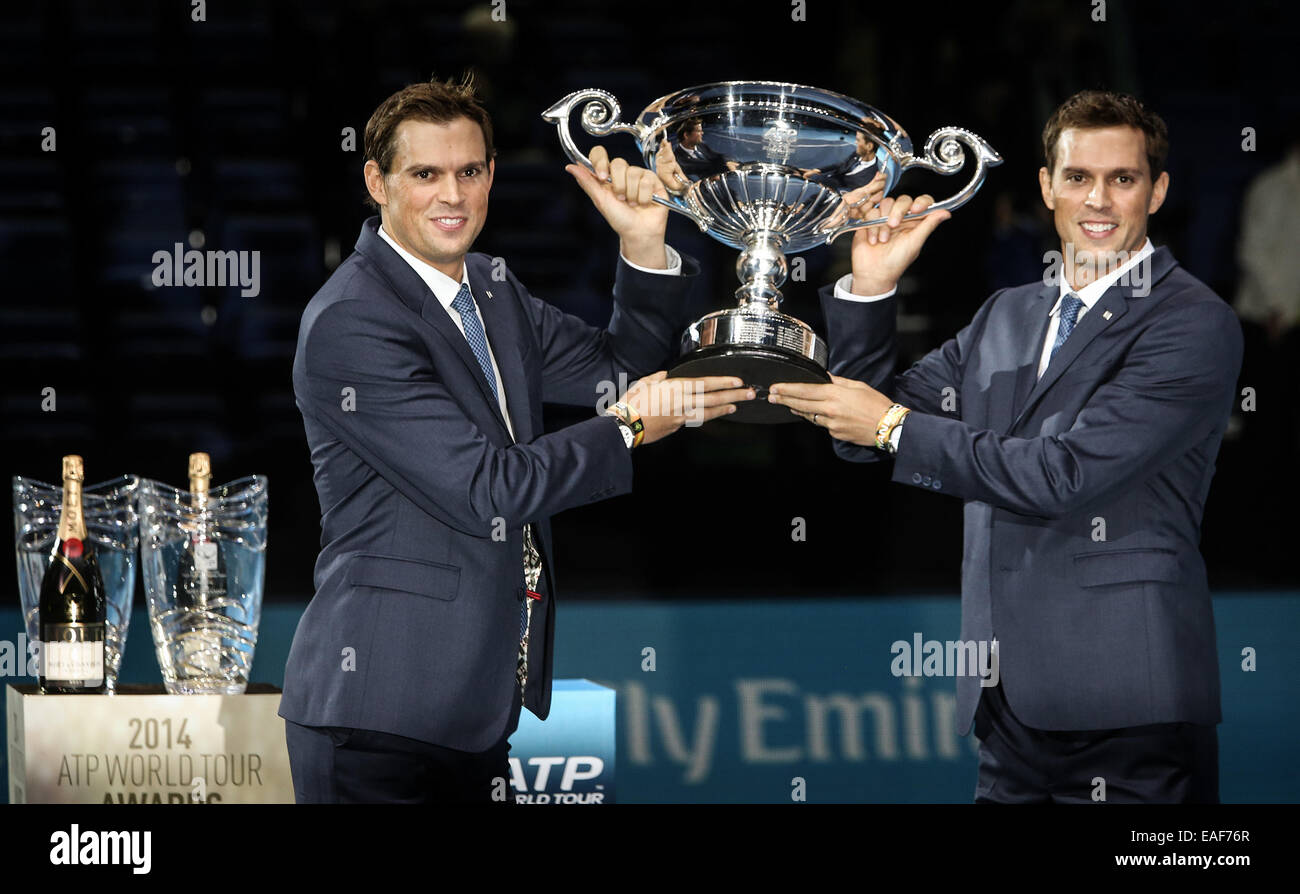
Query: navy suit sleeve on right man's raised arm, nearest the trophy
(865, 348)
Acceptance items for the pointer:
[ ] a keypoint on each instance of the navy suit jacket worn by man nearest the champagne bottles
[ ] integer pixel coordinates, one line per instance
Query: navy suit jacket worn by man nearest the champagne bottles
(414, 628)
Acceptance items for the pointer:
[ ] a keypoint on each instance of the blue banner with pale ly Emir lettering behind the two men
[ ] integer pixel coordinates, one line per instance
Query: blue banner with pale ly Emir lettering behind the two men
(781, 701)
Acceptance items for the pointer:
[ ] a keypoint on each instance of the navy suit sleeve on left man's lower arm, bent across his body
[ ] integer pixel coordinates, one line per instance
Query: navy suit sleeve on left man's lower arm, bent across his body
(406, 426)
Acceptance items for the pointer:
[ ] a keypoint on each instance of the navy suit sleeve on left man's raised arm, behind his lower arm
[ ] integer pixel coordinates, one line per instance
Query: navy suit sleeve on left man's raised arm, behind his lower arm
(643, 337)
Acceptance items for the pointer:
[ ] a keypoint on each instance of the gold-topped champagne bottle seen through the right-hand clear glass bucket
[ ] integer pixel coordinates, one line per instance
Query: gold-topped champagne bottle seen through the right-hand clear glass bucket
(201, 581)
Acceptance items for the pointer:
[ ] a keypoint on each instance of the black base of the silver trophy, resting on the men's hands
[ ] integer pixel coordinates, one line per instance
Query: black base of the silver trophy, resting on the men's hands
(760, 368)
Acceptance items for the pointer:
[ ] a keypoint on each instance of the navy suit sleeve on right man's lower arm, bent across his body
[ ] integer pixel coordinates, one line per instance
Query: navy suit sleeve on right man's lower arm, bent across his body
(1176, 387)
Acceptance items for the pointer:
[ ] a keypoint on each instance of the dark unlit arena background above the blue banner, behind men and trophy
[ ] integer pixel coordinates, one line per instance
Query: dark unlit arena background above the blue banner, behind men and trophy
(227, 134)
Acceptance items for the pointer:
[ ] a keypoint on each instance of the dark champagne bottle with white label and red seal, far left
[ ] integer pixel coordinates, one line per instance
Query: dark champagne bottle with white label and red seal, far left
(73, 607)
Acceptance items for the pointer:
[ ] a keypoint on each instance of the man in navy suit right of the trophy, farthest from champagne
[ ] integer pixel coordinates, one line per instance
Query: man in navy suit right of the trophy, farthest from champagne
(1080, 423)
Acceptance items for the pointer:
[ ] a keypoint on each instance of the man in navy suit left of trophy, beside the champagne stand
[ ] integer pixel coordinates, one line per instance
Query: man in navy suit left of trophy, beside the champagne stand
(421, 374)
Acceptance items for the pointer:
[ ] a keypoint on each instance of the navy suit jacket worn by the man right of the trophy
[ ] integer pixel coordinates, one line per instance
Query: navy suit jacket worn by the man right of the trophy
(1124, 428)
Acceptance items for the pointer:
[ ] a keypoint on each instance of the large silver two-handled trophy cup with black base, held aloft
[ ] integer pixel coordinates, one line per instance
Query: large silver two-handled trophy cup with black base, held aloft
(764, 167)
